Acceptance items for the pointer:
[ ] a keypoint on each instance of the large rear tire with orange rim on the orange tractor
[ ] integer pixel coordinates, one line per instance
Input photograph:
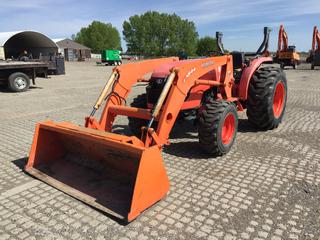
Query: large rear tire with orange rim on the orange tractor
(267, 98)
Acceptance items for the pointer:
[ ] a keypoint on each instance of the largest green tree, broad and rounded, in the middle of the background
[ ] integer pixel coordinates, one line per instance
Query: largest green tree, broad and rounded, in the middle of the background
(159, 34)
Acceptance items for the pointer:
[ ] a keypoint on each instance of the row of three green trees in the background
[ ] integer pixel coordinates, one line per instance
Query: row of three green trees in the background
(149, 34)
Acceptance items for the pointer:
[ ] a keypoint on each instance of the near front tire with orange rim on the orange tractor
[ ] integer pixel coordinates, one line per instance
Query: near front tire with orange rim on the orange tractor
(218, 125)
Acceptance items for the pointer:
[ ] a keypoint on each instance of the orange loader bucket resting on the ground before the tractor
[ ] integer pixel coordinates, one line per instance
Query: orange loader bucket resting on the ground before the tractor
(113, 173)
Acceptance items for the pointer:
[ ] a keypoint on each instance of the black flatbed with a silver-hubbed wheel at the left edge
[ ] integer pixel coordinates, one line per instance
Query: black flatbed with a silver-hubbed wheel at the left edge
(17, 75)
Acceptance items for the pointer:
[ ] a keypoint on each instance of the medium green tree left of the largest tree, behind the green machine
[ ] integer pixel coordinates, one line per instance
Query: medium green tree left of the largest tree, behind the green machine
(99, 36)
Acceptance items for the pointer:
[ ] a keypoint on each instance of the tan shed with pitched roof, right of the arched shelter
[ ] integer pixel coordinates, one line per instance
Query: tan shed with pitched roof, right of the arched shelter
(73, 50)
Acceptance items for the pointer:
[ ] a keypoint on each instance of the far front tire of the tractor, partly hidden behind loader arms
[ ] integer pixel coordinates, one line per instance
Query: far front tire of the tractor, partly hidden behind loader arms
(135, 124)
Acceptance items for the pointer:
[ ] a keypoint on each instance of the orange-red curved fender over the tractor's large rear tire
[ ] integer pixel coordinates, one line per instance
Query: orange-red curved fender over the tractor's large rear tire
(247, 75)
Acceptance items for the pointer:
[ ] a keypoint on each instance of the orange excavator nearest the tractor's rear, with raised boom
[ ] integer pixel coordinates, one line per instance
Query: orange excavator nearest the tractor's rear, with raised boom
(286, 55)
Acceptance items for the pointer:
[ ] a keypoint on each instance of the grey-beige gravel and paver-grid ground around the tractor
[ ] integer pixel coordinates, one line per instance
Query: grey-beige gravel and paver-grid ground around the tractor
(267, 187)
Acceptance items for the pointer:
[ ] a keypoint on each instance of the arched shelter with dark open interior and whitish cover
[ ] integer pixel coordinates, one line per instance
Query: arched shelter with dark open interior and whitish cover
(35, 43)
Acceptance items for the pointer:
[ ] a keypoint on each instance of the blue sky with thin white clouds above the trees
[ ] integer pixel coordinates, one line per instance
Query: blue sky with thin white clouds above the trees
(241, 22)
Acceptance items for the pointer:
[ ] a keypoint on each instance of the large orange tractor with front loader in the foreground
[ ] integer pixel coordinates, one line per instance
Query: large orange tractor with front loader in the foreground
(124, 175)
